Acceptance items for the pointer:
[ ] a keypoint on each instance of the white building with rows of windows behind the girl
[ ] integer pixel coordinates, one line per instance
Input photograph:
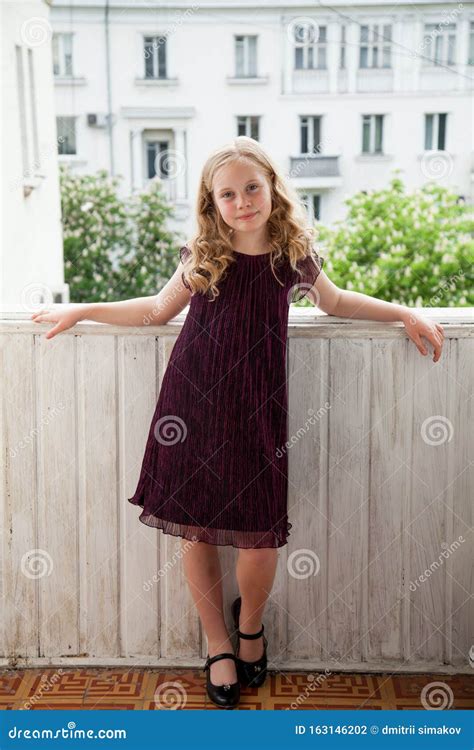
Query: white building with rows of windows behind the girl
(340, 97)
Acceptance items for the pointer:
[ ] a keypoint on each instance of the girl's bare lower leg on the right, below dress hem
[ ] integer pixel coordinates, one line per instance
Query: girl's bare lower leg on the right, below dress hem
(255, 574)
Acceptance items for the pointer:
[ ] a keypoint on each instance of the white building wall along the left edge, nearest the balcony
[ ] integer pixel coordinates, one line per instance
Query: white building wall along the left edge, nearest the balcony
(32, 250)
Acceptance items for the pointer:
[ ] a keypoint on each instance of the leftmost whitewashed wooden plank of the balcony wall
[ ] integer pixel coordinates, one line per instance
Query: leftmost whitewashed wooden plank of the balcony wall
(22, 561)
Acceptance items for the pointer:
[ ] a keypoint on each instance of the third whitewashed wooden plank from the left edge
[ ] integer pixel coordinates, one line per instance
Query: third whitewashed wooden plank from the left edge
(97, 369)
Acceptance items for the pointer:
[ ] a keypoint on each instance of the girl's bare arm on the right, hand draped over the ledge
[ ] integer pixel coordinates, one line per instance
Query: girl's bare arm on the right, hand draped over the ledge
(347, 304)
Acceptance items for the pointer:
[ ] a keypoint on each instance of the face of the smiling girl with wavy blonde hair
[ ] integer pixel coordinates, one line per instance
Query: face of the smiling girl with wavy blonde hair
(242, 195)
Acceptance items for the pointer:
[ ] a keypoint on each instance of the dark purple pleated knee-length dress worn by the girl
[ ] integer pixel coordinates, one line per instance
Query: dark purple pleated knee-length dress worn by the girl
(213, 469)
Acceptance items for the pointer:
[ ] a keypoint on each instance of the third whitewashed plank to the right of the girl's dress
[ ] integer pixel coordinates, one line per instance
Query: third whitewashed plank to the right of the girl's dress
(391, 407)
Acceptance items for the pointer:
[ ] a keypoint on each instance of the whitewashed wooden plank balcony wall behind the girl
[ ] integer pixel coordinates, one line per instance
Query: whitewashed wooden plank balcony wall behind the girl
(377, 574)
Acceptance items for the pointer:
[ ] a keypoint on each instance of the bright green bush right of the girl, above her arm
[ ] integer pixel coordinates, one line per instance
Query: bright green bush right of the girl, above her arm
(412, 248)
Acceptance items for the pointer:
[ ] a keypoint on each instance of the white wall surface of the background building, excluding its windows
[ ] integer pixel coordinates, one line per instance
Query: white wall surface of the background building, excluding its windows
(204, 105)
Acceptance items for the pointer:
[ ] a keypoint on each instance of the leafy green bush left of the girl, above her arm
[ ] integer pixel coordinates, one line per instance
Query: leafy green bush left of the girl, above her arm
(114, 248)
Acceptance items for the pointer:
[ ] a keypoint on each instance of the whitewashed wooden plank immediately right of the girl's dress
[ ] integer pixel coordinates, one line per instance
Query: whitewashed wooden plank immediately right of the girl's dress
(308, 400)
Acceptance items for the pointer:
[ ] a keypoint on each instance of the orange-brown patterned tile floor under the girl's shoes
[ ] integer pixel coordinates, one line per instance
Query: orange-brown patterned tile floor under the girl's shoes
(153, 689)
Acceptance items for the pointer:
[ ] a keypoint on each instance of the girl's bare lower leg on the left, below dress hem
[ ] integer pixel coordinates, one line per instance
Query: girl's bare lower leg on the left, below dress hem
(203, 573)
